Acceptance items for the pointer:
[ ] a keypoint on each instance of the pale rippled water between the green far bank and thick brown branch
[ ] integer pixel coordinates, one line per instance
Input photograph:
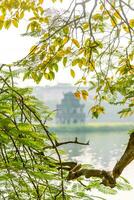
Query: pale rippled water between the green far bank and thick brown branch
(104, 149)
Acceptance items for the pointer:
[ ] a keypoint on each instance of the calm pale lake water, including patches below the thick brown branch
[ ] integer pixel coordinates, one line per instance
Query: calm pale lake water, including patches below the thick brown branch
(104, 150)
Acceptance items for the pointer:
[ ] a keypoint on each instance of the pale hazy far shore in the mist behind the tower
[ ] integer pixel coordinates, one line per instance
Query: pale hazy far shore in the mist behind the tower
(53, 95)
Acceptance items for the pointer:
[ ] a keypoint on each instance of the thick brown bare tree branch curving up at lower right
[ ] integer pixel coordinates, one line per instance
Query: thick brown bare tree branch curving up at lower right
(108, 177)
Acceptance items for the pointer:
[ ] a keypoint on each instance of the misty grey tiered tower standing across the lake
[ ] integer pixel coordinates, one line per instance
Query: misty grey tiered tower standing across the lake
(70, 110)
